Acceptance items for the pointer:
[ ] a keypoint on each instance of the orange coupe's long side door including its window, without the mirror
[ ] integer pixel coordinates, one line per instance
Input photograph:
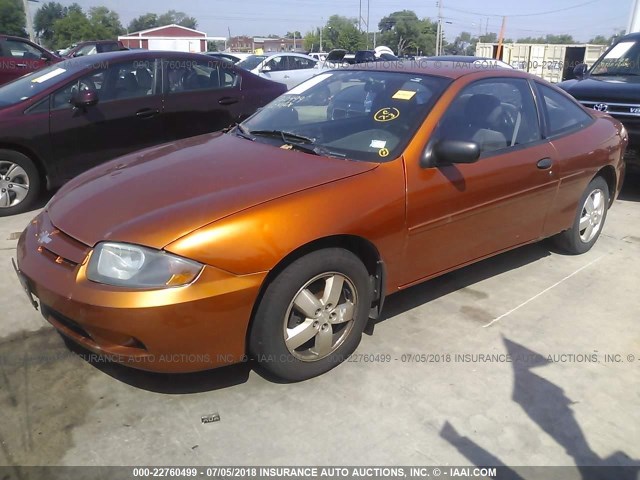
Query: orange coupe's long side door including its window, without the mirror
(461, 213)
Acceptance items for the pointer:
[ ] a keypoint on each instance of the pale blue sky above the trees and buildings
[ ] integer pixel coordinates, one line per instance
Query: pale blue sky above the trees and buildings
(264, 17)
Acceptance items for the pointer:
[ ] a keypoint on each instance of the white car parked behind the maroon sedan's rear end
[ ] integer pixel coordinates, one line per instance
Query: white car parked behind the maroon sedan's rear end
(283, 67)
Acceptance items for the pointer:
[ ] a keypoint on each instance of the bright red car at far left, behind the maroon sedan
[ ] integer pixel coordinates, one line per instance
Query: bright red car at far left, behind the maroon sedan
(19, 56)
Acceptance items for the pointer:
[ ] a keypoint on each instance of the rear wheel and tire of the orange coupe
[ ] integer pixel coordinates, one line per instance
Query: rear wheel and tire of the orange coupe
(589, 220)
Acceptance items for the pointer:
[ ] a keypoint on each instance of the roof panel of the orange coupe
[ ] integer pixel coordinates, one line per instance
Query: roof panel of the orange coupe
(439, 68)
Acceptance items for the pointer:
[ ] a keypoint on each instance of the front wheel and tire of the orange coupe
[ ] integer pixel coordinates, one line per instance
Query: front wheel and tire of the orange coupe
(312, 315)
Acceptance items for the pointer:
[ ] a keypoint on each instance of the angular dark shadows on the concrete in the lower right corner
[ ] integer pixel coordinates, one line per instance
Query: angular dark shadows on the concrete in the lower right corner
(547, 405)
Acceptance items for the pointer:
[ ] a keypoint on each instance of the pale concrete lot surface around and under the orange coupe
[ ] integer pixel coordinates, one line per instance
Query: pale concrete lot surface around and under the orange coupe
(529, 358)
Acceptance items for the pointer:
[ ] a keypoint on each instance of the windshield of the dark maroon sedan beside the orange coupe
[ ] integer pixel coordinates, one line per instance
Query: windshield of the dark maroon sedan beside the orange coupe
(25, 88)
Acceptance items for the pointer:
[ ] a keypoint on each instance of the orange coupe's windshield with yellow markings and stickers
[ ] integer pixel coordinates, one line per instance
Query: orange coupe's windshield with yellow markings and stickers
(352, 114)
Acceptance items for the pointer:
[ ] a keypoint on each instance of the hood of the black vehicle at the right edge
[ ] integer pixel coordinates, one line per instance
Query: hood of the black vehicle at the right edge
(604, 89)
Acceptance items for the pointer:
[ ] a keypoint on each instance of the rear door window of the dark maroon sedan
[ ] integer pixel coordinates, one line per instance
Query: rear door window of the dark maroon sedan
(187, 75)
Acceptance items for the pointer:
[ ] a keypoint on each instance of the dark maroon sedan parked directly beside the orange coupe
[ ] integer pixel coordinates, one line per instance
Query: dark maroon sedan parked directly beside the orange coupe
(74, 115)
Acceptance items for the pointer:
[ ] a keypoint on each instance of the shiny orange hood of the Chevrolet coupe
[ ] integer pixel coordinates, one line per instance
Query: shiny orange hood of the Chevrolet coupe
(158, 195)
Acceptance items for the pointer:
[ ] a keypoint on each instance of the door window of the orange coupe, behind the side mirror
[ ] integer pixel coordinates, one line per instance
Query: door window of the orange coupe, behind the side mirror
(497, 113)
